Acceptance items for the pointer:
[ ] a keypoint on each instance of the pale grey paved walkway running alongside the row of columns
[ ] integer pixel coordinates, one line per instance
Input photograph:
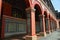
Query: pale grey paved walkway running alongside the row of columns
(53, 36)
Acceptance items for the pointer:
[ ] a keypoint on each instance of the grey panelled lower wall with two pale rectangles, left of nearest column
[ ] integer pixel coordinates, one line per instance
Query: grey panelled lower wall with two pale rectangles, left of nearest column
(15, 26)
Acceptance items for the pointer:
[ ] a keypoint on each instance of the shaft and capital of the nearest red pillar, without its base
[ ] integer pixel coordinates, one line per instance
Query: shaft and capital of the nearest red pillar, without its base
(31, 20)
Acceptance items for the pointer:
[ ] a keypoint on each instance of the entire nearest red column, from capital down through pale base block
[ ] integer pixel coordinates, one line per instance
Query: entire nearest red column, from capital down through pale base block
(32, 33)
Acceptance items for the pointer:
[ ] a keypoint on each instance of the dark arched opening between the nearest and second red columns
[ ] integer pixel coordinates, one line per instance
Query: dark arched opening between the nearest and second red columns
(38, 12)
